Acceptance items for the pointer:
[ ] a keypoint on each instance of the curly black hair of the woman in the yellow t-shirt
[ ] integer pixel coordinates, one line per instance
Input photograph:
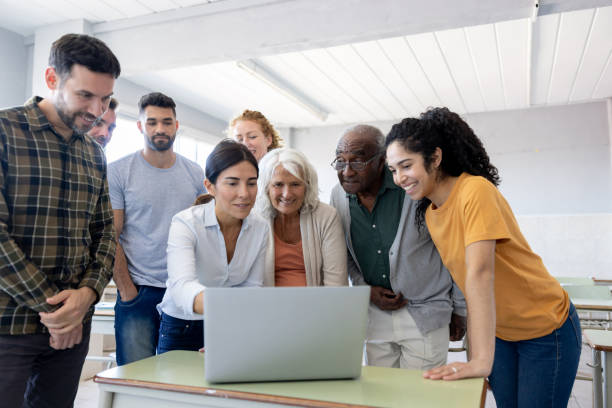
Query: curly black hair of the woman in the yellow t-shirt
(462, 150)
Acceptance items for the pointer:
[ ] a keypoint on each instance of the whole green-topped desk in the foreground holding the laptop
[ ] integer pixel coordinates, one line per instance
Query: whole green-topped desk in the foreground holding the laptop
(177, 379)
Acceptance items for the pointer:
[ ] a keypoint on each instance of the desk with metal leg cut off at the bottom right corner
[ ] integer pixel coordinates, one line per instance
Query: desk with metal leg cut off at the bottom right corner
(601, 342)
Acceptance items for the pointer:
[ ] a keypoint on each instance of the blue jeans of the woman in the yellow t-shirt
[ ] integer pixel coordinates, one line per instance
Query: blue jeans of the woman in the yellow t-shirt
(539, 372)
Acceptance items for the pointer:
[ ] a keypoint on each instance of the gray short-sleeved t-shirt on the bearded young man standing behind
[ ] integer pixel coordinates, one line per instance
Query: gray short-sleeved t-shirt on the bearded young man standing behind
(150, 197)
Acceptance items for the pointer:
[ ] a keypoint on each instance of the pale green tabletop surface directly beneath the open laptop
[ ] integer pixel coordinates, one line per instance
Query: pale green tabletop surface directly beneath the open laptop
(379, 387)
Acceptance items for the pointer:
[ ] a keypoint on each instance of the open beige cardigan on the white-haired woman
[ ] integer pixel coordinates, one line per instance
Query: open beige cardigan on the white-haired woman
(323, 246)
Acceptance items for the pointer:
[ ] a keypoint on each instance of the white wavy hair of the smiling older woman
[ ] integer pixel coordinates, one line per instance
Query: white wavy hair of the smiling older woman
(295, 163)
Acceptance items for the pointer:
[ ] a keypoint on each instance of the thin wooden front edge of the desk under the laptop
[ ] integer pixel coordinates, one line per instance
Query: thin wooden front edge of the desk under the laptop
(214, 392)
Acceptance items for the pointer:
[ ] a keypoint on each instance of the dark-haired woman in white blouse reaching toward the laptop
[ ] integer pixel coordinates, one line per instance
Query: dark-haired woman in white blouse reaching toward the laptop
(218, 243)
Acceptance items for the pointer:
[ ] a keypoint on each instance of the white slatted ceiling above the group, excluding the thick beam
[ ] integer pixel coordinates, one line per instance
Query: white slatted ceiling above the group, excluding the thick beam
(556, 58)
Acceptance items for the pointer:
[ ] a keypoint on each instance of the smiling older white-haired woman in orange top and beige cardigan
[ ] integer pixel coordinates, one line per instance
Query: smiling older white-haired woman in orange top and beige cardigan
(306, 244)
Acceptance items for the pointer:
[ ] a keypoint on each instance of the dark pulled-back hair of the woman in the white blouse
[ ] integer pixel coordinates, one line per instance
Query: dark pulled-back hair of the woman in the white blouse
(226, 154)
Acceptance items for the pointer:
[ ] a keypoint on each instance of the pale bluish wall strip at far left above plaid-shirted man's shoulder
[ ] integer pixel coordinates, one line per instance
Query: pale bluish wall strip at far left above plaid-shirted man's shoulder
(13, 69)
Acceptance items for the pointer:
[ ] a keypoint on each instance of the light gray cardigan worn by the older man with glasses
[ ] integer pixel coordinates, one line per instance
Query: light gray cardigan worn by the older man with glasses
(416, 269)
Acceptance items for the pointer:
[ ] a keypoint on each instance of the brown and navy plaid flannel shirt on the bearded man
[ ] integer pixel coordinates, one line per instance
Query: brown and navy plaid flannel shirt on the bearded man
(56, 223)
